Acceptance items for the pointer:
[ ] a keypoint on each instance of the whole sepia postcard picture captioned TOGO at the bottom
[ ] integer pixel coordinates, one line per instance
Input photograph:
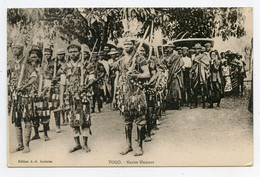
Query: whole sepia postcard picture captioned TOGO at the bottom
(130, 87)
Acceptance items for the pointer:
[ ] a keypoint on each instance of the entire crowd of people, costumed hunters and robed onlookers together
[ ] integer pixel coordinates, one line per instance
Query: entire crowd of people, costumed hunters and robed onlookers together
(135, 81)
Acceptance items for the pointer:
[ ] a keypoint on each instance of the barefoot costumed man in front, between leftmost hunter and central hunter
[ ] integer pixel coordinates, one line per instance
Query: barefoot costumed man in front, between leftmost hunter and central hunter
(78, 97)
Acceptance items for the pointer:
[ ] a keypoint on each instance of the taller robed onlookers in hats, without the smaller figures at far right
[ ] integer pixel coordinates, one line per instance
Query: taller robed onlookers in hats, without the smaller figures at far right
(192, 73)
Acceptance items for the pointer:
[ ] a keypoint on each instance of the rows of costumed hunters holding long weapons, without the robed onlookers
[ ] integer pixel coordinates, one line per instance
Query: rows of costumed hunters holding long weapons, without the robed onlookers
(70, 84)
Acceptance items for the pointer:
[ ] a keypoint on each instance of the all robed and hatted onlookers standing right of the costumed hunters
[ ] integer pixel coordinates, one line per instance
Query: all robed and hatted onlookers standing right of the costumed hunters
(201, 71)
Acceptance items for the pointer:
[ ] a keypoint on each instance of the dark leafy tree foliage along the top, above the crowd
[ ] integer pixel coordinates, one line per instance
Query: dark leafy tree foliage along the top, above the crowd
(89, 24)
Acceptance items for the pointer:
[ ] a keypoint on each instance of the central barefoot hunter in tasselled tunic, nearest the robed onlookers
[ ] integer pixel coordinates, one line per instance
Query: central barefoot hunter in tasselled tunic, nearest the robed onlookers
(131, 74)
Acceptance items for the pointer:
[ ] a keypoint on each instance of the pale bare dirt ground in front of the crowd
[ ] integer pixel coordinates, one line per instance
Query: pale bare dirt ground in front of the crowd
(187, 137)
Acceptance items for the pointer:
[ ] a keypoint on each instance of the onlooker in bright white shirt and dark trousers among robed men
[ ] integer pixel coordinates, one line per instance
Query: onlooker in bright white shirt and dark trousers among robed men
(187, 61)
